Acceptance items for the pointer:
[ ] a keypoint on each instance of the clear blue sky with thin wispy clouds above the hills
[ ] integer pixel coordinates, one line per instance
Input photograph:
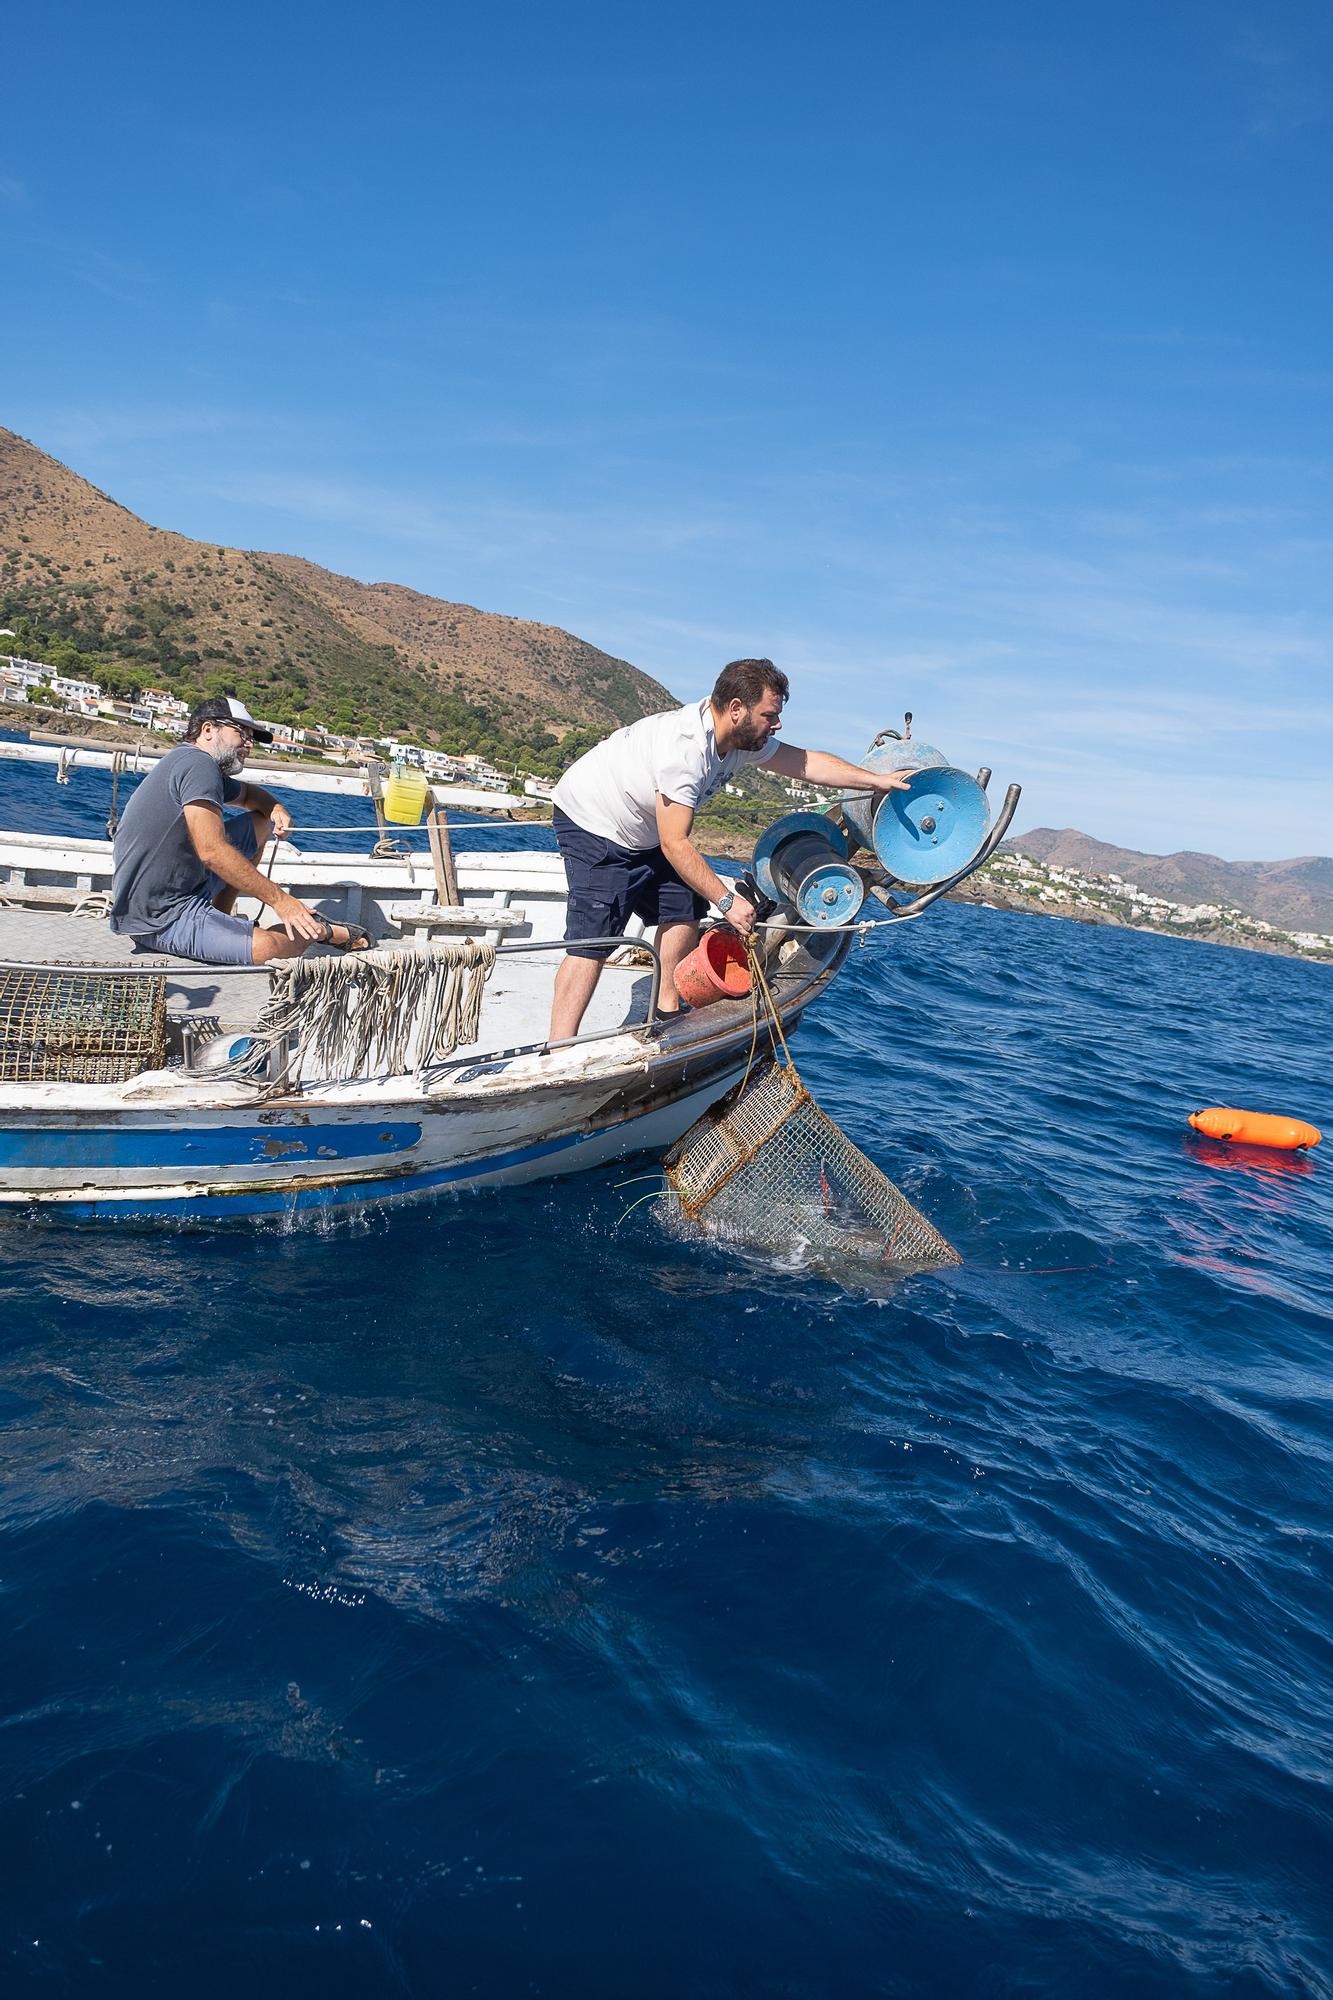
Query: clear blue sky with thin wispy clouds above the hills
(966, 357)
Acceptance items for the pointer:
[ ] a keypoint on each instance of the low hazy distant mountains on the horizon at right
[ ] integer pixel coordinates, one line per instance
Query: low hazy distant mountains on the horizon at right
(1296, 895)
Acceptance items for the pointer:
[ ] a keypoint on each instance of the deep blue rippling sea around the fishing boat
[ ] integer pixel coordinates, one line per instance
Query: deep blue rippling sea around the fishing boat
(503, 1597)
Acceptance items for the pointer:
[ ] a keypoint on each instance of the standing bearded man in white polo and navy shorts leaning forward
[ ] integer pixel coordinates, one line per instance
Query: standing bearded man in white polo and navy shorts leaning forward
(625, 813)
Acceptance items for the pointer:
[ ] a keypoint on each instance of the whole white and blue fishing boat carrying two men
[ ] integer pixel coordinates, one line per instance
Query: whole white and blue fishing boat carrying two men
(155, 1087)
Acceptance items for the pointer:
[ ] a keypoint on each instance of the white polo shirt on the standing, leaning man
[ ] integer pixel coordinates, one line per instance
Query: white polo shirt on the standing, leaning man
(613, 789)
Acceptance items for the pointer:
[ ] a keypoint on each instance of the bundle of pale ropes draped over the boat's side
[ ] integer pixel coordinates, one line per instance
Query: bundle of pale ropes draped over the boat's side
(377, 1013)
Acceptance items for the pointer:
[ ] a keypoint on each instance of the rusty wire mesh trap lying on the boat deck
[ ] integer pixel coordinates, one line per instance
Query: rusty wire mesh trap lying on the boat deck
(81, 1029)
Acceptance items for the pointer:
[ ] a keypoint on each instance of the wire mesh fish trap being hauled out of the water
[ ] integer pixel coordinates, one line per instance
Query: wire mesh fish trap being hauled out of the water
(770, 1169)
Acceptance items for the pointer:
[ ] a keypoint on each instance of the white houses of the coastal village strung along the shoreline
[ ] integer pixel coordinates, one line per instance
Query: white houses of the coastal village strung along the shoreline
(1010, 881)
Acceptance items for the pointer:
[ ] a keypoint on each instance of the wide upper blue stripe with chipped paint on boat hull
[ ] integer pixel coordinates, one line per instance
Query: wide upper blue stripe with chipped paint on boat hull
(203, 1149)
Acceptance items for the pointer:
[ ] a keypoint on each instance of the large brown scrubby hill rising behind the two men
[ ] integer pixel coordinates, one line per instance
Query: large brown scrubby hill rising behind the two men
(295, 641)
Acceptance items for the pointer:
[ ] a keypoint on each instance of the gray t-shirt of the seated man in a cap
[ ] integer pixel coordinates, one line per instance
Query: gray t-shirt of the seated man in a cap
(159, 875)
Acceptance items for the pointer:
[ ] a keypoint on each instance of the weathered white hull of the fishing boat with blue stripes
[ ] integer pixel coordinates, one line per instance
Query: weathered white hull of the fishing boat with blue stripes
(187, 1141)
